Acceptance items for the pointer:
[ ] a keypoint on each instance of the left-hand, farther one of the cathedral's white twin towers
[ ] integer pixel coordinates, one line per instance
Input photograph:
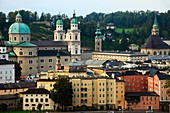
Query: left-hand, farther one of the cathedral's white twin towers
(59, 33)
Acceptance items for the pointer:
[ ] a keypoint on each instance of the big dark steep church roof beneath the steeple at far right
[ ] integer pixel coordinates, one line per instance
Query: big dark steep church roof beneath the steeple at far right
(155, 42)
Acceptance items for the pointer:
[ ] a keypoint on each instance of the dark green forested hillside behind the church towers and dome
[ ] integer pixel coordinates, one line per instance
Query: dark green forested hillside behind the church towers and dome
(130, 27)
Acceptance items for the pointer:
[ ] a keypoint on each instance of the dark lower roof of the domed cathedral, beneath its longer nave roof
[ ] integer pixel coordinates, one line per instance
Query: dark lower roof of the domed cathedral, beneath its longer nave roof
(52, 53)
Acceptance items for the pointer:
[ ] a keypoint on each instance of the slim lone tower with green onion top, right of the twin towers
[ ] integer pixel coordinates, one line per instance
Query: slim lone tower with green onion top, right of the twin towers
(98, 39)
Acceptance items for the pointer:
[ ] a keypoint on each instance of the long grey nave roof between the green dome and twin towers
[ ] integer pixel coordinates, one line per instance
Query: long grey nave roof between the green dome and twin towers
(50, 43)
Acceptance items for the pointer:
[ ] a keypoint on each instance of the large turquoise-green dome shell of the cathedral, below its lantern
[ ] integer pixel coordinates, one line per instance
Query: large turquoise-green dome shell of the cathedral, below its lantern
(19, 27)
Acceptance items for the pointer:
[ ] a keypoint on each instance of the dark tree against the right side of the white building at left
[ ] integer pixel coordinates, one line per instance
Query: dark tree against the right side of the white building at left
(17, 70)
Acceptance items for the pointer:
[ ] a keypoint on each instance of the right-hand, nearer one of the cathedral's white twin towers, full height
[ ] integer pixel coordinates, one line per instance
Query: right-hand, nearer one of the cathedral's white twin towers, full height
(73, 39)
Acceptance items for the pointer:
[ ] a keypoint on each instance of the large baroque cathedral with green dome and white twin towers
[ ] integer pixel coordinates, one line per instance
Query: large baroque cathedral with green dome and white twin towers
(36, 56)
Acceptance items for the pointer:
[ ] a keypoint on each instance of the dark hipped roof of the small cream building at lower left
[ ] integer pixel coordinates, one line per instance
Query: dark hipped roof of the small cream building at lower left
(36, 91)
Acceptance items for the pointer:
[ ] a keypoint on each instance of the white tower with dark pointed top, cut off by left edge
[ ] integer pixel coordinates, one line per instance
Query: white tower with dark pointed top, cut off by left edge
(3, 50)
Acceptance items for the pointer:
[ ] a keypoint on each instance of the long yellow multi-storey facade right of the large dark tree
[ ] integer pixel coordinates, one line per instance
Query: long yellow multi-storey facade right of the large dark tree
(99, 93)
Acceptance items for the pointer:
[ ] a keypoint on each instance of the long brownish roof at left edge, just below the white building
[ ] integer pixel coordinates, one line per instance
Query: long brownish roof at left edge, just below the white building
(17, 85)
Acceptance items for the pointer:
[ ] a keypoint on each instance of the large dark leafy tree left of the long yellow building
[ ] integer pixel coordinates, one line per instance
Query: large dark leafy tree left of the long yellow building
(62, 92)
